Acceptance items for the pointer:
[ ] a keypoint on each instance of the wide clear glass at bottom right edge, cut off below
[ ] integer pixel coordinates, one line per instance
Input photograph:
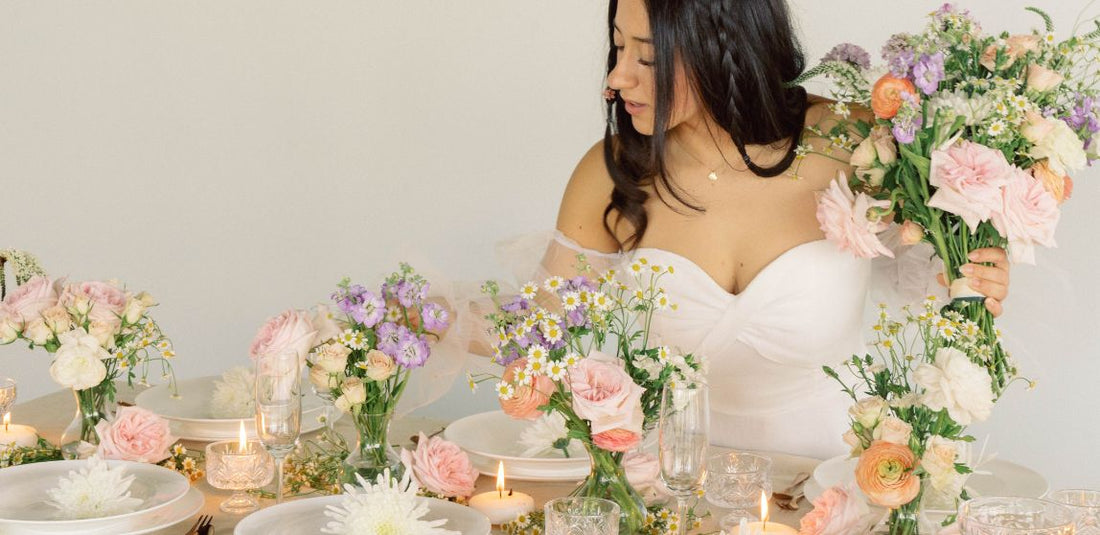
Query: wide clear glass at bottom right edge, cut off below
(1015, 517)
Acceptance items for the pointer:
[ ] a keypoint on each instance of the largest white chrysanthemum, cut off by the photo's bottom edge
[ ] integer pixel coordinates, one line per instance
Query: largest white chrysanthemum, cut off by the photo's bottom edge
(388, 507)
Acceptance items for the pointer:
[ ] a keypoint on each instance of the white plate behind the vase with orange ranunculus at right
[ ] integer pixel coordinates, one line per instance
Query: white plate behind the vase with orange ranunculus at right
(995, 478)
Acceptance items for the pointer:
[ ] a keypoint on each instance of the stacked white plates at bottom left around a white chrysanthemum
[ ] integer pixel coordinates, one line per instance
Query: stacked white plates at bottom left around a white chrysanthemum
(168, 499)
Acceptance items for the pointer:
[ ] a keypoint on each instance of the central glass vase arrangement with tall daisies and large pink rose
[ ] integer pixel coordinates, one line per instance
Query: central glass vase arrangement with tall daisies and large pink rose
(552, 343)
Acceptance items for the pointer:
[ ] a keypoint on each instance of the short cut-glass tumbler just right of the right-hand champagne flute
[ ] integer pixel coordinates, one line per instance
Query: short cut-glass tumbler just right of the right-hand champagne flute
(735, 481)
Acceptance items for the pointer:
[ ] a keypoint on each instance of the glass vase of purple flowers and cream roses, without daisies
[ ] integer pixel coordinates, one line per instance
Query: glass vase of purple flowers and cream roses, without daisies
(364, 358)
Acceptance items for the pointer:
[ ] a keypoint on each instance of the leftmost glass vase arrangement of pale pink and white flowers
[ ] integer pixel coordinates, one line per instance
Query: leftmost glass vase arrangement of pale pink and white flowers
(97, 332)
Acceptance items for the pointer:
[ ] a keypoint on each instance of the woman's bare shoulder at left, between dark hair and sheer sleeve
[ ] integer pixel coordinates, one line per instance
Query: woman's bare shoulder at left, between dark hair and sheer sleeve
(581, 215)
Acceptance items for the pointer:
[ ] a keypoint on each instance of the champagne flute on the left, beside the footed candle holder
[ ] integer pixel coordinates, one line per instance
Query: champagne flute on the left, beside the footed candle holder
(279, 409)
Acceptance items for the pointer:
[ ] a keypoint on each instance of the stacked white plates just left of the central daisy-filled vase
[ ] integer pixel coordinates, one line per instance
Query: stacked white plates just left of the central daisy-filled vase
(494, 436)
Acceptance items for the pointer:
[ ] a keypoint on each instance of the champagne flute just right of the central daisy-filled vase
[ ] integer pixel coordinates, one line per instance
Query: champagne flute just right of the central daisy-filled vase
(684, 435)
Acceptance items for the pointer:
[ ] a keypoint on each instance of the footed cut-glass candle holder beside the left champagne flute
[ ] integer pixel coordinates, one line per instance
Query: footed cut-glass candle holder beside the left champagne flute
(232, 467)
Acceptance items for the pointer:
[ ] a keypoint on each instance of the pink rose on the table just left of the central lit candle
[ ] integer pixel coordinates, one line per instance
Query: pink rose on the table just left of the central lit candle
(442, 467)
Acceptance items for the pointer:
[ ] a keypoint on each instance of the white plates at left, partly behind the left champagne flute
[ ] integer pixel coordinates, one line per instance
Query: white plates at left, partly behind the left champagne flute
(190, 418)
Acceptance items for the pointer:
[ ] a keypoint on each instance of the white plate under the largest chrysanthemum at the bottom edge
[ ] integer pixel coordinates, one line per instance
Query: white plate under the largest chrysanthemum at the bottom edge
(309, 517)
